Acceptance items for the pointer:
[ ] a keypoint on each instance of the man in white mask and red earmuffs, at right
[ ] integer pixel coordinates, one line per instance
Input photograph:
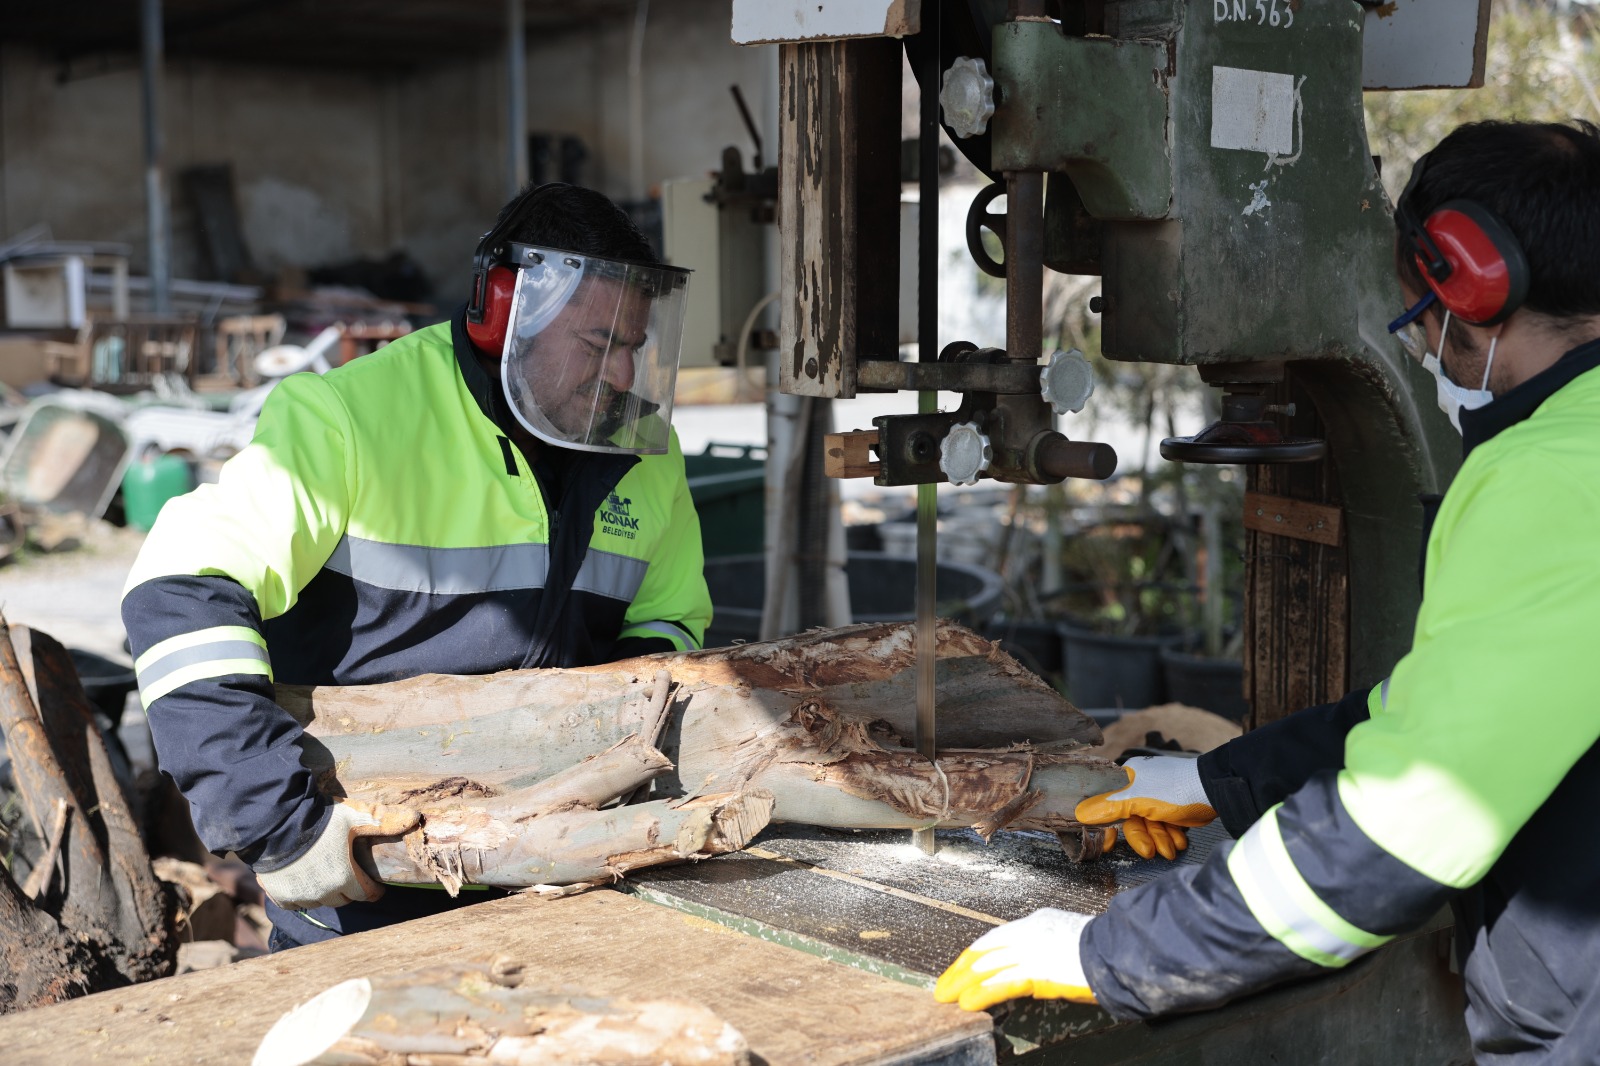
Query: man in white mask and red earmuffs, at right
(1471, 775)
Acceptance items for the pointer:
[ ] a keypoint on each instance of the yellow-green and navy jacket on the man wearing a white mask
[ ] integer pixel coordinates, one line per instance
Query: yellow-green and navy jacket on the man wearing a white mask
(1470, 777)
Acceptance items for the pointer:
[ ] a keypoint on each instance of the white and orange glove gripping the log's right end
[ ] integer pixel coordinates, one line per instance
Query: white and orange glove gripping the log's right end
(1162, 799)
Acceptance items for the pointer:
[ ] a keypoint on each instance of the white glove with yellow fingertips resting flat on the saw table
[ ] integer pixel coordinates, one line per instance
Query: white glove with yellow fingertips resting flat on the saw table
(1036, 956)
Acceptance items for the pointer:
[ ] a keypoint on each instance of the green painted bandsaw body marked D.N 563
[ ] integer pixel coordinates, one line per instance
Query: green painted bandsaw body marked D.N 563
(1223, 185)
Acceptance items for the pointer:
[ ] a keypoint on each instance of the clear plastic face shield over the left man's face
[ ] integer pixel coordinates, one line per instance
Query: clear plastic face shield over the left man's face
(593, 350)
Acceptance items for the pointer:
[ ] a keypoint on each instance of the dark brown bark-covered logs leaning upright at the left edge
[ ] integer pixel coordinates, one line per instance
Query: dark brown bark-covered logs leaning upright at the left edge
(95, 915)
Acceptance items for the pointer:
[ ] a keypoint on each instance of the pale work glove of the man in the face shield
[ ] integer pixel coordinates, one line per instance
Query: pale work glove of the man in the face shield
(330, 875)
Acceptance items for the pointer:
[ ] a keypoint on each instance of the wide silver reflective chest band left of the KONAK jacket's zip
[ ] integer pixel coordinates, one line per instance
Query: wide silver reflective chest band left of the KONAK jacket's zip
(442, 571)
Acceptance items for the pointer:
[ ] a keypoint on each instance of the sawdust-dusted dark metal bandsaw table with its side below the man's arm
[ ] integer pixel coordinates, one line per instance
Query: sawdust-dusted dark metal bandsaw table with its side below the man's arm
(874, 902)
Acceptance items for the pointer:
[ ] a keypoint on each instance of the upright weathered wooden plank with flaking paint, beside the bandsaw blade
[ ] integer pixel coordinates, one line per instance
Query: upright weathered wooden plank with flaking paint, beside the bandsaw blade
(838, 212)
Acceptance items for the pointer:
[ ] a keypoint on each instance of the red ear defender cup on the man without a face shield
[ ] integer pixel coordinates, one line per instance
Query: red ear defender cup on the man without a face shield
(1486, 273)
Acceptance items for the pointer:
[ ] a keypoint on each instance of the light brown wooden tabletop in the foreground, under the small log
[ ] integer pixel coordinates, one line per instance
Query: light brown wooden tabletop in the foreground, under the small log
(602, 944)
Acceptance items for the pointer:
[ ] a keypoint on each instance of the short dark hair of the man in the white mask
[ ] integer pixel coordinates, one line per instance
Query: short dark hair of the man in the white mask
(1543, 180)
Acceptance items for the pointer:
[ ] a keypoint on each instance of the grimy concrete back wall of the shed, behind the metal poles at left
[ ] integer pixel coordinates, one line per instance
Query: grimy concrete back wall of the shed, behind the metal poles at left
(303, 146)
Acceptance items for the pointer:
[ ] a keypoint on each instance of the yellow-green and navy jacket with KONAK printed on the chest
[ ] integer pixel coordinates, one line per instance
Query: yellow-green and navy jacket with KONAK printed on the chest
(382, 526)
